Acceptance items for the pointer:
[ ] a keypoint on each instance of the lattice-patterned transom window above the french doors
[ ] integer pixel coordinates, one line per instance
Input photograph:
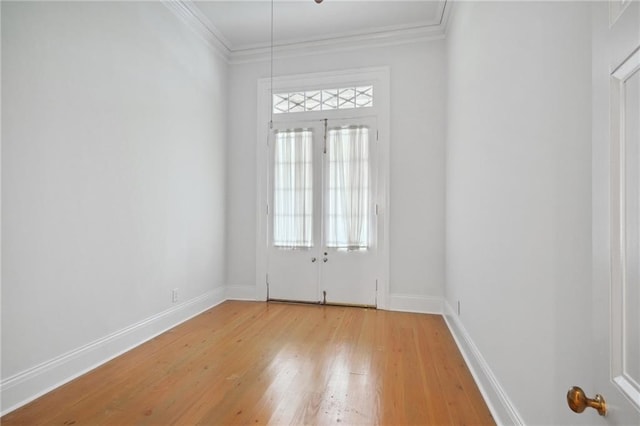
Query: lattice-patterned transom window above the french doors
(323, 100)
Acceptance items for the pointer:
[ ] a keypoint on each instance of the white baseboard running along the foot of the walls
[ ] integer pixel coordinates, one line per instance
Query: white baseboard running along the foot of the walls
(30, 384)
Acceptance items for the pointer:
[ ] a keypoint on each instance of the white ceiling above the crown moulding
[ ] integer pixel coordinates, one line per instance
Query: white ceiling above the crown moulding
(246, 24)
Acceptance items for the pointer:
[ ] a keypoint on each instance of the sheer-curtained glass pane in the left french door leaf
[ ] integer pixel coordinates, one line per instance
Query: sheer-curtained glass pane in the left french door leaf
(293, 189)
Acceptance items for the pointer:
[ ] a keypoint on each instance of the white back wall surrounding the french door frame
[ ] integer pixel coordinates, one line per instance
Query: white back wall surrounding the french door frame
(416, 163)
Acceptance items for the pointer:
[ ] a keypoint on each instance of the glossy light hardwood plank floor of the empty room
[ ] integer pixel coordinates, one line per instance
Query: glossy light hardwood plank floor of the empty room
(259, 363)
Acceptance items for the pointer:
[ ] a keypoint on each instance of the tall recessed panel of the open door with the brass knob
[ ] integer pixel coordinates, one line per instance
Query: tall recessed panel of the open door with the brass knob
(631, 295)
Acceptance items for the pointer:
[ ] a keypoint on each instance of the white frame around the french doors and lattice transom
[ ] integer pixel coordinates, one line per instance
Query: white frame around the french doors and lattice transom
(379, 78)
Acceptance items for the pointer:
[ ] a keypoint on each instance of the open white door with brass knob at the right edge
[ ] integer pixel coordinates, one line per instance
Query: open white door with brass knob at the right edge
(616, 212)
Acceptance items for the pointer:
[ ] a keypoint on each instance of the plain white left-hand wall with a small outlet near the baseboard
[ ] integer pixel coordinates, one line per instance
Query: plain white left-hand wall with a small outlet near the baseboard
(113, 173)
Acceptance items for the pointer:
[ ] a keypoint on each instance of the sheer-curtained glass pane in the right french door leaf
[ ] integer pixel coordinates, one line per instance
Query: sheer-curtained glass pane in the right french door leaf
(348, 188)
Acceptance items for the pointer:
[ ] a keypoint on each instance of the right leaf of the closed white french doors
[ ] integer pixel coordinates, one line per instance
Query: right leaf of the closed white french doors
(350, 226)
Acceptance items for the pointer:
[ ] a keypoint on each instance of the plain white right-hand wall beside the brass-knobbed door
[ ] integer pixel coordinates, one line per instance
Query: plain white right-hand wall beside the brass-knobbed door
(518, 241)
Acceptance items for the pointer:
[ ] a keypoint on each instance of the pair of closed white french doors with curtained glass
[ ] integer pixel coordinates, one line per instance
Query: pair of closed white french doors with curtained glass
(322, 221)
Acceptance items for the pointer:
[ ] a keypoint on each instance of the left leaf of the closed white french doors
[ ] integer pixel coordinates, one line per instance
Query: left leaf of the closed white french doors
(295, 180)
